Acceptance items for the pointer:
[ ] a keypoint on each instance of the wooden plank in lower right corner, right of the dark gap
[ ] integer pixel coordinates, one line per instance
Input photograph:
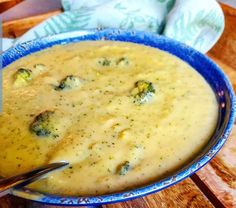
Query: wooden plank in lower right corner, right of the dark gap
(220, 174)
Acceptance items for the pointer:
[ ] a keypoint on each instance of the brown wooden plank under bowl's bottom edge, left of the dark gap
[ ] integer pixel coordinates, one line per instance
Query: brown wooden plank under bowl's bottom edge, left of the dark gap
(183, 194)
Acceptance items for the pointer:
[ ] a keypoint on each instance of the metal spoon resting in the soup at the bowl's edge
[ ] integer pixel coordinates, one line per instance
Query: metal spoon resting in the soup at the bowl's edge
(24, 179)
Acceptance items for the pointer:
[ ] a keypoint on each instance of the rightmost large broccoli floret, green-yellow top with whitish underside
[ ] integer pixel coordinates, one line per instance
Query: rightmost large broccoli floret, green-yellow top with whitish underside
(143, 91)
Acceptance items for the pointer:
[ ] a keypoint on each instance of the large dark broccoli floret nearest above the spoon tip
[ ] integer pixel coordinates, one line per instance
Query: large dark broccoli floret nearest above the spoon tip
(44, 124)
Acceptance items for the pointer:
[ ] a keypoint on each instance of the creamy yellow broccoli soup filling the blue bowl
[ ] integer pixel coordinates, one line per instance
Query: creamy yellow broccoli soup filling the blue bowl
(121, 114)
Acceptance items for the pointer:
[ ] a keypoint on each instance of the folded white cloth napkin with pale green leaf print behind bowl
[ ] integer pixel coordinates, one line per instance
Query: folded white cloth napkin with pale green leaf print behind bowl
(196, 23)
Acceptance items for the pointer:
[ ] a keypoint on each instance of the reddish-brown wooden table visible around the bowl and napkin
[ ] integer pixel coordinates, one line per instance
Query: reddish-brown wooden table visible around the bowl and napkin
(212, 186)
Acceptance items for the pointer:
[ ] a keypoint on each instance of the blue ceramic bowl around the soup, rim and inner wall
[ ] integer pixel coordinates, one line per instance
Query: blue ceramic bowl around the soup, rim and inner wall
(210, 71)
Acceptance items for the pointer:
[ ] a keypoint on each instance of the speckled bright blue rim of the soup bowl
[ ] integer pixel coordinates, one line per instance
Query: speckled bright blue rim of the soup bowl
(29, 47)
